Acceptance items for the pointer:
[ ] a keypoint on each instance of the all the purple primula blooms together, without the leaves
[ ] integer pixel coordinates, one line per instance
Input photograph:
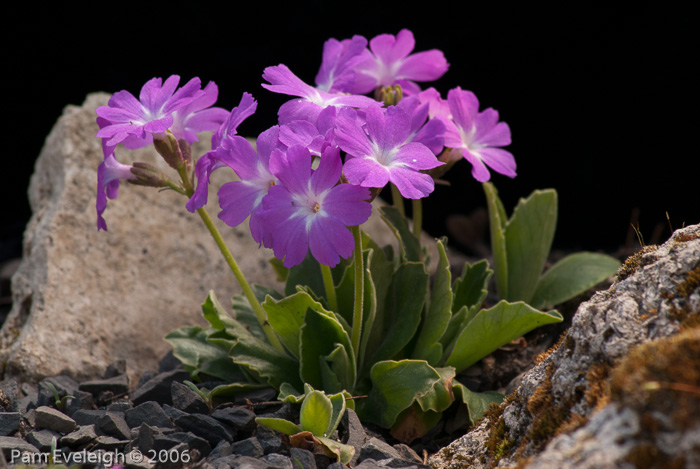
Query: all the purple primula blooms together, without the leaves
(313, 174)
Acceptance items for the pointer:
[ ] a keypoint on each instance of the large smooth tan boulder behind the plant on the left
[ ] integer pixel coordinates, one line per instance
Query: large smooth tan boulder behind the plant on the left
(83, 299)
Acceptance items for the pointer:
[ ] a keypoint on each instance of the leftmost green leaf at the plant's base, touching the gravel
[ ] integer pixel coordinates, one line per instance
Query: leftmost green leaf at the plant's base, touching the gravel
(192, 348)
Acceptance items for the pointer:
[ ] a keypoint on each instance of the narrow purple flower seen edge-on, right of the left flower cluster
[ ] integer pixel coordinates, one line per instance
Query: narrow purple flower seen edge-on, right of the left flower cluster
(208, 163)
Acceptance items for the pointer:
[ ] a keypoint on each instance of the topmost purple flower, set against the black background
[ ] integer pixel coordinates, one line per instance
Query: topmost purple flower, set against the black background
(391, 63)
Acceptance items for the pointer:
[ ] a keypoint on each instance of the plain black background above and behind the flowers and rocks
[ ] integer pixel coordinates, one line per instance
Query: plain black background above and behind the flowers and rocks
(598, 98)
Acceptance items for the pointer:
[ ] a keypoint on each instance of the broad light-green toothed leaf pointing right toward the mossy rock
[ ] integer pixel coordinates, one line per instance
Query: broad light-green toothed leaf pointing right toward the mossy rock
(495, 327)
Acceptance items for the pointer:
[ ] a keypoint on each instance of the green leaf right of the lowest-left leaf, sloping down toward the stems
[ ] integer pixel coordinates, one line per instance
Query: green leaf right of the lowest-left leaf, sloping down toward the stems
(260, 358)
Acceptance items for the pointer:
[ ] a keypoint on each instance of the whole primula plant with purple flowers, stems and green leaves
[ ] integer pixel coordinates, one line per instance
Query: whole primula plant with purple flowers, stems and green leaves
(355, 319)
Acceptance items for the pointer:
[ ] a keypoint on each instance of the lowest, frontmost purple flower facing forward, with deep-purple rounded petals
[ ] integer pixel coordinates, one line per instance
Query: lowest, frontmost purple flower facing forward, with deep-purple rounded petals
(310, 210)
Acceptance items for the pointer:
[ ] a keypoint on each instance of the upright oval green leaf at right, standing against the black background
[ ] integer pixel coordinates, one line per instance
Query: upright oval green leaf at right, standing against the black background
(529, 236)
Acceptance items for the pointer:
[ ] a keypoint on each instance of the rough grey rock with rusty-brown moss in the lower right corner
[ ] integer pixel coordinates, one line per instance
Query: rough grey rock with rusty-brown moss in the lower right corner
(621, 388)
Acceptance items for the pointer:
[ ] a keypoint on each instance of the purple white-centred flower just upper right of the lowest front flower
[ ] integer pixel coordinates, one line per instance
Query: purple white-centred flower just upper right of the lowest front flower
(381, 154)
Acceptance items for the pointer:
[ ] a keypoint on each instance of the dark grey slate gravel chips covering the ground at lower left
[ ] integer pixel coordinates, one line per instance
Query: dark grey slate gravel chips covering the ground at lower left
(161, 422)
